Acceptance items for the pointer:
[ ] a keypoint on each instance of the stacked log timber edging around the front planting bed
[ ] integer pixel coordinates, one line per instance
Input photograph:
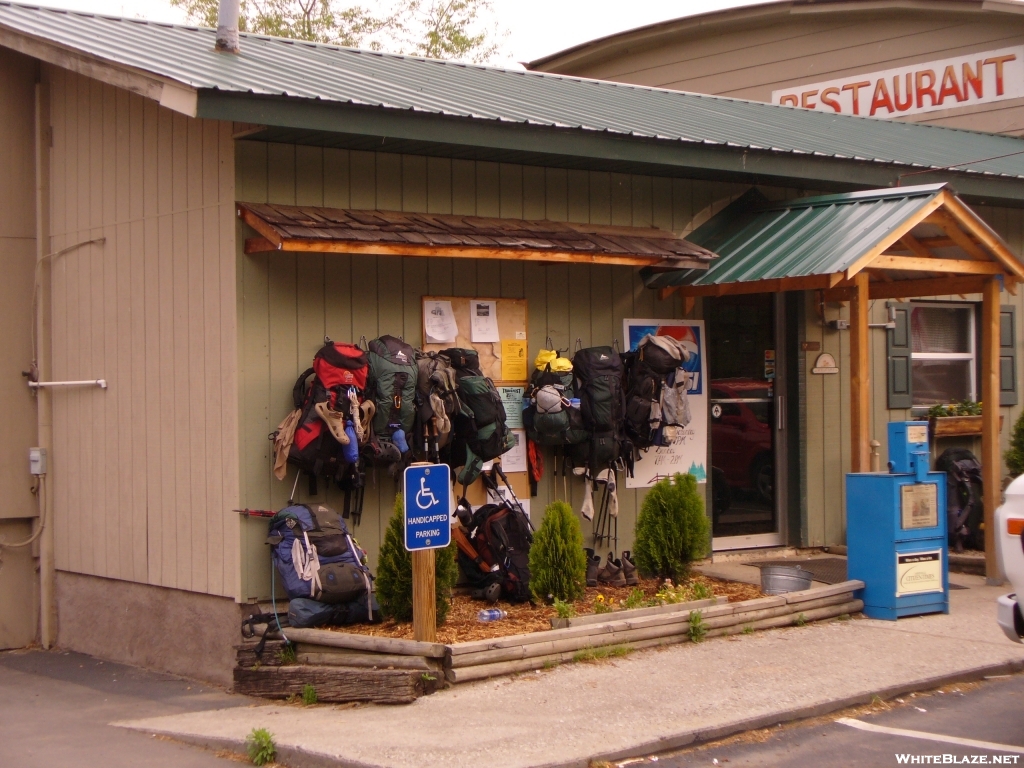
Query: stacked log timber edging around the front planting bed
(360, 668)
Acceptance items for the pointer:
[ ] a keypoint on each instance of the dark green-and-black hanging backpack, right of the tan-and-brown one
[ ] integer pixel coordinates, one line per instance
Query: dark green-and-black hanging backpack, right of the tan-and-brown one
(481, 432)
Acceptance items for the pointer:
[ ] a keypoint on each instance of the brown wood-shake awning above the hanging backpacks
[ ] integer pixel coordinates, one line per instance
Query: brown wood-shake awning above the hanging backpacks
(401, 234)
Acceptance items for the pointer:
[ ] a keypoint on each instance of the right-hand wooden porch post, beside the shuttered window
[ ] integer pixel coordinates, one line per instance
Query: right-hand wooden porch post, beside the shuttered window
(991, 460)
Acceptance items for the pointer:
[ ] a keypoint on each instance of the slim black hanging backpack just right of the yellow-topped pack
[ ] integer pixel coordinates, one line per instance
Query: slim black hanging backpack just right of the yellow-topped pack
(599, 374)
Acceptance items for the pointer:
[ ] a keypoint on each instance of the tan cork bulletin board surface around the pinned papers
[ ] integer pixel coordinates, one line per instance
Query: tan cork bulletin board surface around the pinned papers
(511, 328)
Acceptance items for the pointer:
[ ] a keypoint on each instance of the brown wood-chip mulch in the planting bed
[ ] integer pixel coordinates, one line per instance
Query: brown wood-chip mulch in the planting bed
(462, 625)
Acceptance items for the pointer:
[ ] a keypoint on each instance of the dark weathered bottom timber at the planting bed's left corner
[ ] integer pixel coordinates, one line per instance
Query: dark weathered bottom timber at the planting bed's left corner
(332, 684)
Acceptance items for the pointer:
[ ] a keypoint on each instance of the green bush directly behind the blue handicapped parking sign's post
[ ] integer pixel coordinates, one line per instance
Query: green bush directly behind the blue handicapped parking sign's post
(395, 573)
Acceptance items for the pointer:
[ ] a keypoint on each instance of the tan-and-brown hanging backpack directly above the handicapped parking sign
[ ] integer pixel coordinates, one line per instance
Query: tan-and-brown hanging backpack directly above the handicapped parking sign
(438, 403)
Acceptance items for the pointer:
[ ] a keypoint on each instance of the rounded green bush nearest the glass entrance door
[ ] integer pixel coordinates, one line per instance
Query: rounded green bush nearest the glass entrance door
(672, 529)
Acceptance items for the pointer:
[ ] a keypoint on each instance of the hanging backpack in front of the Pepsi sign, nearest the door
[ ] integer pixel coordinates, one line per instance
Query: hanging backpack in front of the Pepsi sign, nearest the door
(657, 404)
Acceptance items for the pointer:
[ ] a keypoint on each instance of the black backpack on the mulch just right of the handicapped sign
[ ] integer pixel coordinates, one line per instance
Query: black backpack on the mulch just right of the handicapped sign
(501, 535)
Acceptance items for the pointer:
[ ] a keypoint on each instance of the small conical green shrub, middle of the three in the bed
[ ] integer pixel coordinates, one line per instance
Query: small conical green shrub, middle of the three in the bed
(558, 560)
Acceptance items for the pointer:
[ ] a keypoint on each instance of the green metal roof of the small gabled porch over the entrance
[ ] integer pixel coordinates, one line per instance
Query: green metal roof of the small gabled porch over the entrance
(757, 240)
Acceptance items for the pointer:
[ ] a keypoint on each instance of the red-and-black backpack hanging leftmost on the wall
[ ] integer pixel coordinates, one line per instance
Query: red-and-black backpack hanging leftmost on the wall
(326, 441)
